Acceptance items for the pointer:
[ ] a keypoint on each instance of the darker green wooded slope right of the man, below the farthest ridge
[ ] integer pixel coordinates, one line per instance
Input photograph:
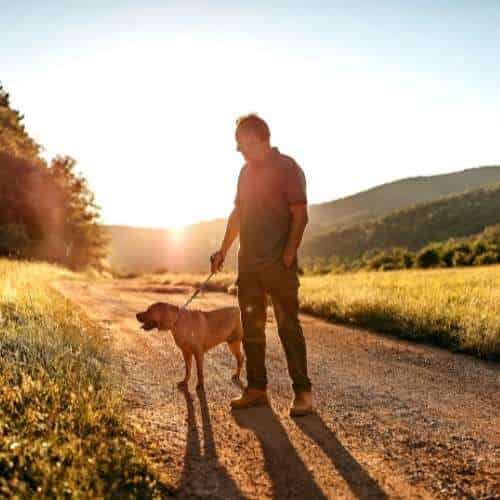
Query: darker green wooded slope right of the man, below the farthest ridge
(451, 217)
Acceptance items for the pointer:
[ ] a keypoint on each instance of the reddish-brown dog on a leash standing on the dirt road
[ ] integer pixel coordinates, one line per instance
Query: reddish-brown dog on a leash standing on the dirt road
(195, 332)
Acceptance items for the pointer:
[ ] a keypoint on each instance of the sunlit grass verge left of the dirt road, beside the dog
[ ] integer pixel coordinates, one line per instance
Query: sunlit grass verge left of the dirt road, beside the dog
(60, 430)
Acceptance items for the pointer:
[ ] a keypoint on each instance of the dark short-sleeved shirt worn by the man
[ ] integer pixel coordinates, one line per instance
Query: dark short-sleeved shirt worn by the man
(265, 192)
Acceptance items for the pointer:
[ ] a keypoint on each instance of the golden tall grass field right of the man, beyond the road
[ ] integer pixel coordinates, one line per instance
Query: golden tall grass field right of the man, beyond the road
(457, 308)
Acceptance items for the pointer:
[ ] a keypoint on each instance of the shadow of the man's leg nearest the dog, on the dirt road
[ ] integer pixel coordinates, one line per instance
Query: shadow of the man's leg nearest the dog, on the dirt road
(287, 472)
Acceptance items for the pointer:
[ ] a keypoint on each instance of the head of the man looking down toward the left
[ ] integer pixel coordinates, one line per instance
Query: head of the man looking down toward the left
(252, 138)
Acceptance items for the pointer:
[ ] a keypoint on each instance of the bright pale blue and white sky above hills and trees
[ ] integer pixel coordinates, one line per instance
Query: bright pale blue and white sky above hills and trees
(144, 94)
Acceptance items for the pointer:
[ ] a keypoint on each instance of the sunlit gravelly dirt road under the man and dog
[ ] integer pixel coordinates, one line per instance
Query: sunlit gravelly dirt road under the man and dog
(394, 419)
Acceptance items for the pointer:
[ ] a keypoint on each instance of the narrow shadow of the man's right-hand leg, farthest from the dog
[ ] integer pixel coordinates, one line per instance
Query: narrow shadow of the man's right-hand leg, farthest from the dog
(358, 480)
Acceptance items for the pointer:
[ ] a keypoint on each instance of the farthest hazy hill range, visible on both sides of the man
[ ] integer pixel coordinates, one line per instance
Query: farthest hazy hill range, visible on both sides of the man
(140, 249)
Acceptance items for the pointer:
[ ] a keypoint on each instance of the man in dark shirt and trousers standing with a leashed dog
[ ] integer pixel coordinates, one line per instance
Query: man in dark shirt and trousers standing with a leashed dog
(270, 216)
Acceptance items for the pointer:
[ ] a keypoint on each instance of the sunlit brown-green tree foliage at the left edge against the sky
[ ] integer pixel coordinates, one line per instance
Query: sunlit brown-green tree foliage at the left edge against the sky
(46, 211)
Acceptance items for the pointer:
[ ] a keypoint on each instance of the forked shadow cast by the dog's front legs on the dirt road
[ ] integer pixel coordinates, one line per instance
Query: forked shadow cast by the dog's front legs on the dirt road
(203, 475)
